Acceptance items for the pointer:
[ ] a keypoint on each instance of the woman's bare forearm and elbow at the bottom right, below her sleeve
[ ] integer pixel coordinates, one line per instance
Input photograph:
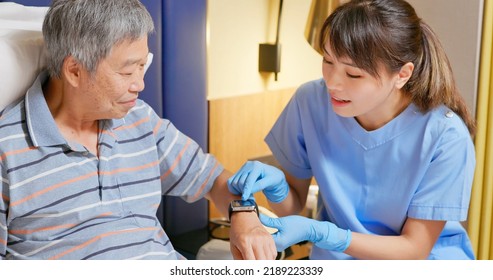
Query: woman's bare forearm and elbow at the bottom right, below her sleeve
(415, 242)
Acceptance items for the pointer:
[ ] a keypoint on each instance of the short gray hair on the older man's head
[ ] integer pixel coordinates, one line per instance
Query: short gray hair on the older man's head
(88, 30)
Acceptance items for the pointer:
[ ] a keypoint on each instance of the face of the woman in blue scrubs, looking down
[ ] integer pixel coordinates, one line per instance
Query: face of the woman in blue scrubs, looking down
(355, 93)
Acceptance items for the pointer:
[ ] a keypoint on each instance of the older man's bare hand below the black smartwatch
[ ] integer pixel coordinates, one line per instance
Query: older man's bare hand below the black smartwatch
(249, 240)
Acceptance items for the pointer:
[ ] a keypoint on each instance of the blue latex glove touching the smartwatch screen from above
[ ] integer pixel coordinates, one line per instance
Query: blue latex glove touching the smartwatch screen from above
(255, 176)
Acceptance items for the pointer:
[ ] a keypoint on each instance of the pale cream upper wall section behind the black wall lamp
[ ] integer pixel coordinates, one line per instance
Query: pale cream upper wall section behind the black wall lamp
(237, 27)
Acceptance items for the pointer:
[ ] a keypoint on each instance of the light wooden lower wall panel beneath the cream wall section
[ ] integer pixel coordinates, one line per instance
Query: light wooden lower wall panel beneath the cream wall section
(238, 126)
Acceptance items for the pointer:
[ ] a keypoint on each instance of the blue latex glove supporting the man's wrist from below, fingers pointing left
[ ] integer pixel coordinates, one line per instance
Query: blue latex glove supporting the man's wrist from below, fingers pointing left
(295, 229)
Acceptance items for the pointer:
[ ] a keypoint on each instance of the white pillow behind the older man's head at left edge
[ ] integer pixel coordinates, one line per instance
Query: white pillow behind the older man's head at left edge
(21, 49)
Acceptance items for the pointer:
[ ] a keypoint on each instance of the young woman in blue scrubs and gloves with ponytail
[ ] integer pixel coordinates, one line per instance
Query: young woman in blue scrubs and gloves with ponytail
(387, 137)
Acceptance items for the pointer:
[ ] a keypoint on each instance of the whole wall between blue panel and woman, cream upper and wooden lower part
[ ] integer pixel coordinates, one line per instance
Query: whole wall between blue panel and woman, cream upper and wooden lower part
(243, 103)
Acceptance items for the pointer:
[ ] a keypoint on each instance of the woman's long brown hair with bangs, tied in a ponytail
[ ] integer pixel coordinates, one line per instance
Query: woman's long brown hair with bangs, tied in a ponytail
(389, 32)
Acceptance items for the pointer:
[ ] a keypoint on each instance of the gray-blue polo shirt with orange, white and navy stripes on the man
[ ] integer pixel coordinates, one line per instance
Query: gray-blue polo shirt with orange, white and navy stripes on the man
(59, 201)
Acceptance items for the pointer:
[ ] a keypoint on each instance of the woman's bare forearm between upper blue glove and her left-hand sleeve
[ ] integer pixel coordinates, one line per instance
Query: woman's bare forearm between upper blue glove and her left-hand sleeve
(296, 199)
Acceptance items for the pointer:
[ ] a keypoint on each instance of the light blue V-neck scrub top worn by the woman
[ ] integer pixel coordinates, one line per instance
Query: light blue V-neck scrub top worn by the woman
(419, 165)
